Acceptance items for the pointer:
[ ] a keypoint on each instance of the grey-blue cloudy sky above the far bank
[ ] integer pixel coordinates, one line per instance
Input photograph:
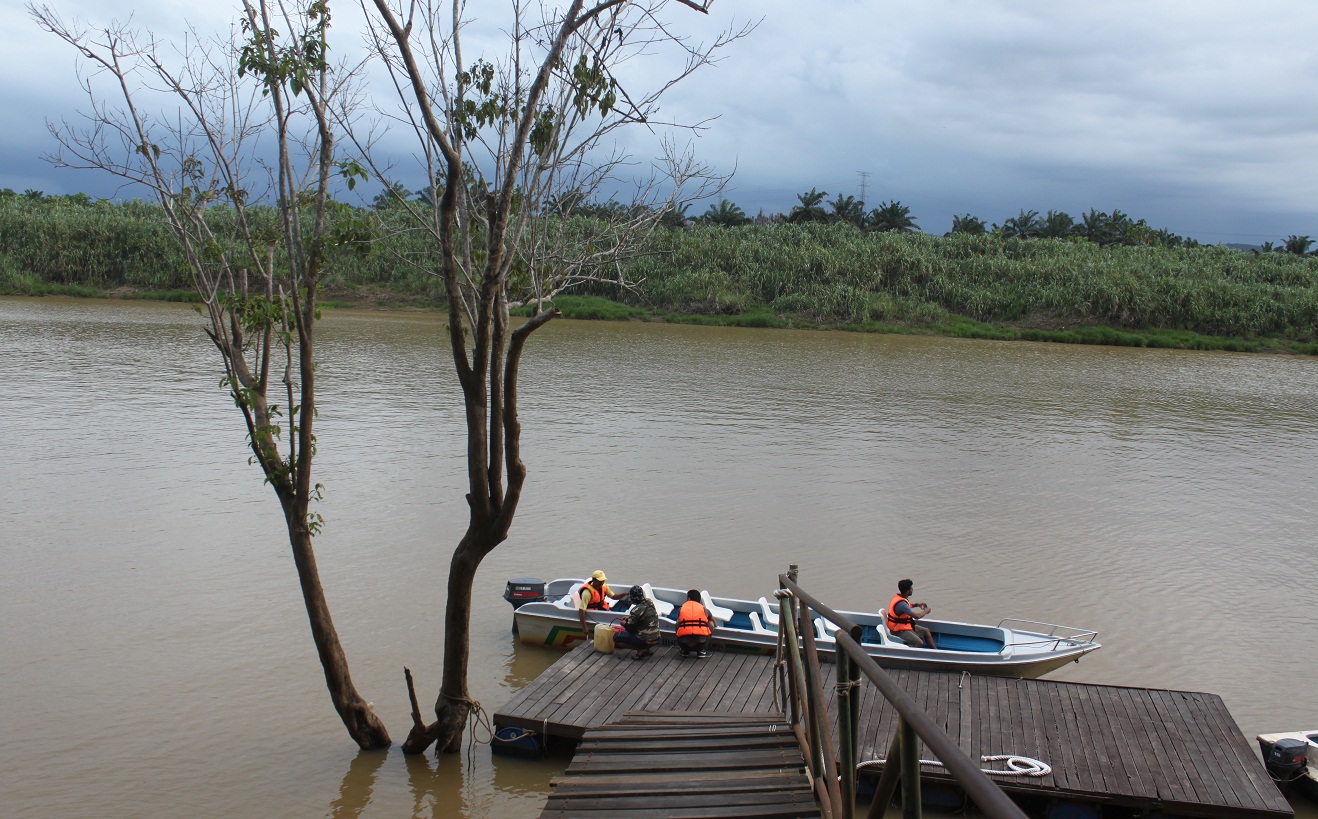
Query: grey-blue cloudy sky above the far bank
(1200, 117)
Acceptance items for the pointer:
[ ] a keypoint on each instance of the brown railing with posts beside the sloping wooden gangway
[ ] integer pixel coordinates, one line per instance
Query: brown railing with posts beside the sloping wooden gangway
(832, 766)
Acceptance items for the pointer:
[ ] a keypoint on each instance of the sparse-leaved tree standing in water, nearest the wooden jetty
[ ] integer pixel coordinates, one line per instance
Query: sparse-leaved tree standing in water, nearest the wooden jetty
(513, 143)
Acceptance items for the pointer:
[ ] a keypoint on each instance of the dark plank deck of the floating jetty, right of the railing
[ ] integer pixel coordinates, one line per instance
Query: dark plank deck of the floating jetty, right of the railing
(1180, 751)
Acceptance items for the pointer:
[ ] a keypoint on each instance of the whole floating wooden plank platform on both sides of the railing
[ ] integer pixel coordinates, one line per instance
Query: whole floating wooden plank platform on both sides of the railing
(1149, 750)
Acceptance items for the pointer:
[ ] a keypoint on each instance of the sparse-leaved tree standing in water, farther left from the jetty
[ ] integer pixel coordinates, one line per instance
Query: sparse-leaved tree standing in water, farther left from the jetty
(184, 125)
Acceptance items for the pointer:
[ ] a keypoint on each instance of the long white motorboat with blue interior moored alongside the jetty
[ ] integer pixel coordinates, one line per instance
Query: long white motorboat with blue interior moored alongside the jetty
(1013, 648)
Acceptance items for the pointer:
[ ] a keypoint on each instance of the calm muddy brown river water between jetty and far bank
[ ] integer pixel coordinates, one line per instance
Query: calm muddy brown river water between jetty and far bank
(156, 657)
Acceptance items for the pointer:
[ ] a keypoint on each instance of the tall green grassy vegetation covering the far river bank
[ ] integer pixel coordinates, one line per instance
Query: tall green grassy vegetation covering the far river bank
(831, 276)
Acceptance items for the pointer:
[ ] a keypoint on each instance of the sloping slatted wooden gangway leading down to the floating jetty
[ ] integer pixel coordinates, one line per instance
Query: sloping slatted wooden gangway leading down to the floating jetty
(682, 766)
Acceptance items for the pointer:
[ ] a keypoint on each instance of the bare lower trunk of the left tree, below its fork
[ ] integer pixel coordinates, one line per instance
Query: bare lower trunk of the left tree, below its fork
(358, 717)
